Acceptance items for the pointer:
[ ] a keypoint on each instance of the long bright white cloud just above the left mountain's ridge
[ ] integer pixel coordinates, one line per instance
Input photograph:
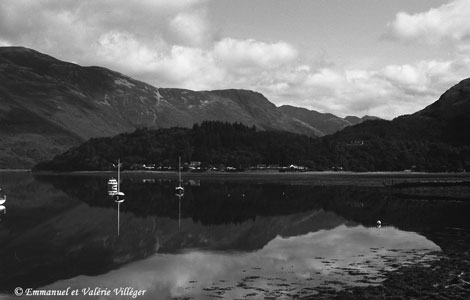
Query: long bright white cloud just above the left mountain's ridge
(195, 67)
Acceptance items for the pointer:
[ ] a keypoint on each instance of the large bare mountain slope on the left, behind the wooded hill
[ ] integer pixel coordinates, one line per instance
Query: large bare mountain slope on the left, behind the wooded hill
(47, 106)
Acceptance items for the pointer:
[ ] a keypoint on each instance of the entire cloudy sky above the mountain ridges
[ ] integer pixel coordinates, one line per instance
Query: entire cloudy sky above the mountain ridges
(363, 57)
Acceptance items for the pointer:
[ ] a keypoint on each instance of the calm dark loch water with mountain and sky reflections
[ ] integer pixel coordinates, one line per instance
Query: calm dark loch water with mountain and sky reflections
(272, 238)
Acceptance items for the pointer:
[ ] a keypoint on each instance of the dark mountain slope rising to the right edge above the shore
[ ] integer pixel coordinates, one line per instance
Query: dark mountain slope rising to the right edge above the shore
(433, 139)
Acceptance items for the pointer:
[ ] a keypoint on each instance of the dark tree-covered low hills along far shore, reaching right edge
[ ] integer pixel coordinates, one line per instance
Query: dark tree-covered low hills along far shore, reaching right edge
(372, 146)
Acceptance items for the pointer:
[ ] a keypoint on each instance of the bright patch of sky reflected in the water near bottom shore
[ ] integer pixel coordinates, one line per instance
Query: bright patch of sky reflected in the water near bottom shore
(284, 267)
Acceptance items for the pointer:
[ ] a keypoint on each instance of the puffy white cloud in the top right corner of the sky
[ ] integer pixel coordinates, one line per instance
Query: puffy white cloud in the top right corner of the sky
(445, 24)
